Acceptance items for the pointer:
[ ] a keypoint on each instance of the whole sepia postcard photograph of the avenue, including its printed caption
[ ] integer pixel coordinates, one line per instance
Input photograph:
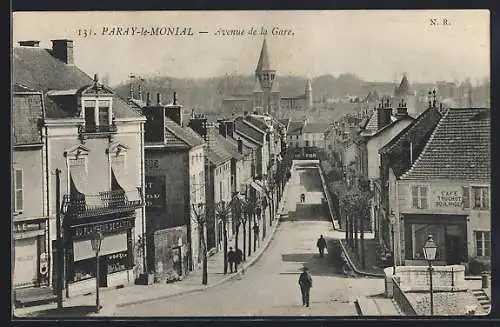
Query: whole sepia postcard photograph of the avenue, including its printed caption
(323, 163)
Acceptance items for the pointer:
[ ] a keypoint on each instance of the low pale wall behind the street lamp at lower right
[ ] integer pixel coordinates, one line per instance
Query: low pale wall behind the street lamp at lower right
(444, 278)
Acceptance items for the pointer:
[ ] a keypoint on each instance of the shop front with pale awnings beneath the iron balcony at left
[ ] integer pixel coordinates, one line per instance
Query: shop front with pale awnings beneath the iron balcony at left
(115, 257)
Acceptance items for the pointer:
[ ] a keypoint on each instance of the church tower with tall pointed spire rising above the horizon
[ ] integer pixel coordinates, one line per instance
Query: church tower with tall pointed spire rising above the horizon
(266, 76)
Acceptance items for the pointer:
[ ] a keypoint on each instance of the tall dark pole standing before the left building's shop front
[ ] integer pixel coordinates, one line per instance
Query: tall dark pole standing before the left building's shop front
(59, 241)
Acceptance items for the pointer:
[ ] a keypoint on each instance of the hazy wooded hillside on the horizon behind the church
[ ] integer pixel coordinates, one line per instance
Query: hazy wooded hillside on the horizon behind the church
(206, 94)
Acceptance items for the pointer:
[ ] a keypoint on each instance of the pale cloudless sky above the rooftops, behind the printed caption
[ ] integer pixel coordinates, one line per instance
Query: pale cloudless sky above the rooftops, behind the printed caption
(374, 45)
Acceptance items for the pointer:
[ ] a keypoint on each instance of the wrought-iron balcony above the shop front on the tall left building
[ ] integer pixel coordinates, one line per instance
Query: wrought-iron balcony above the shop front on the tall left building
(103, 203)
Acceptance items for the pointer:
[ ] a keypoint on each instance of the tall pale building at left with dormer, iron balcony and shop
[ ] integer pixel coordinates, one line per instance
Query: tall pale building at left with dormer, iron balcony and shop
(96, 140)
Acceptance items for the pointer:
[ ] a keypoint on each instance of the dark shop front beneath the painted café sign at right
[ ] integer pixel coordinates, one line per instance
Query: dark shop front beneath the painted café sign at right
(448, 231)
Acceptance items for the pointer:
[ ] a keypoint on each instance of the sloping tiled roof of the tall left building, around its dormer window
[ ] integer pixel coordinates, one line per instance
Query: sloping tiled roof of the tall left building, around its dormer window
(37, 69)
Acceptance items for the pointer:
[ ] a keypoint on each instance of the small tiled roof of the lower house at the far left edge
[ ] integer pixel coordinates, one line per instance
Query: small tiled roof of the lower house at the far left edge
(26, 112)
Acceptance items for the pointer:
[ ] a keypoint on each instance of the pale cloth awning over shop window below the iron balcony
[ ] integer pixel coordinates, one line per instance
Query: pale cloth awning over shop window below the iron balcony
(110, 244)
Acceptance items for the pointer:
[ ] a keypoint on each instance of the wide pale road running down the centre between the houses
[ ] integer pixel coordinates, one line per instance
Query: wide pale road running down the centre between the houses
(270, 286)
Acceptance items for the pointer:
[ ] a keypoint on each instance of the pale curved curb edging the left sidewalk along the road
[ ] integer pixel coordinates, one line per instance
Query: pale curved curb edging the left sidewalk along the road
(200, 289)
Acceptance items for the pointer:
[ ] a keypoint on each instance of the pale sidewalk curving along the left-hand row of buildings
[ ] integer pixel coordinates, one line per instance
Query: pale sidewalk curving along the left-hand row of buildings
(111, 299)
